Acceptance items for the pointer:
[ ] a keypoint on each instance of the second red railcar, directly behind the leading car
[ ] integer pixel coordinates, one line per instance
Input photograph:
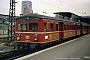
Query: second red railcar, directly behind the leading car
(67, 29)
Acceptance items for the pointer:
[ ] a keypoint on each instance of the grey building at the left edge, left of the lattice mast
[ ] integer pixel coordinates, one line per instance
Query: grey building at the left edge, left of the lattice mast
(4, 24)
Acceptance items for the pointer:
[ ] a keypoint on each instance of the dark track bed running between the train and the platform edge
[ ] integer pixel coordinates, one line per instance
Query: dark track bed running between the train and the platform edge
(10, 55)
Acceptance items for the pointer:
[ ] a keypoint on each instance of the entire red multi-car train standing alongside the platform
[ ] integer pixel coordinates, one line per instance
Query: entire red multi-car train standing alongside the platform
(38, 30)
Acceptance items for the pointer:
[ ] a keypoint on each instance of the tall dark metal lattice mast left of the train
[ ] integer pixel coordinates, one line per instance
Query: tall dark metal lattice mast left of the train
(11, 20)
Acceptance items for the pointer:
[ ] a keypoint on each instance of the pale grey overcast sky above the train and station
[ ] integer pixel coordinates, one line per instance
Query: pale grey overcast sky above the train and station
(49, 6)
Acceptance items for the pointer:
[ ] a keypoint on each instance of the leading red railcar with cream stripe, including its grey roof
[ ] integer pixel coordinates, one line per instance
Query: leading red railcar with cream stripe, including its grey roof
(36, 29)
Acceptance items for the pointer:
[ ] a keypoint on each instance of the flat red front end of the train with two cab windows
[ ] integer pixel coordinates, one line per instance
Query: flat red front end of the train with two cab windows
(29, 31)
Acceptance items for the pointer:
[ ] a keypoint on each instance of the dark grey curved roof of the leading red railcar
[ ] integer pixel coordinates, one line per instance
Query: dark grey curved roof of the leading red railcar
(36, 17)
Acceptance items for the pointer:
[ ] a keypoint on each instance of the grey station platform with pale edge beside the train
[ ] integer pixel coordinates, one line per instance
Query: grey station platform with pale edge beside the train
(76, 49)
